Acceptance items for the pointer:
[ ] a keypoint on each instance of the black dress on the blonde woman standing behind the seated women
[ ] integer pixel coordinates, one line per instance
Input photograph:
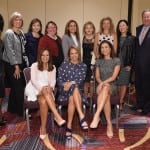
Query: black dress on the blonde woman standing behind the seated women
(87, 46)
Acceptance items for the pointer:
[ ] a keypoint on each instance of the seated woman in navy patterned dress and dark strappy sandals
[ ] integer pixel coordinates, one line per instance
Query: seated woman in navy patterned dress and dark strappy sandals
(71, 76)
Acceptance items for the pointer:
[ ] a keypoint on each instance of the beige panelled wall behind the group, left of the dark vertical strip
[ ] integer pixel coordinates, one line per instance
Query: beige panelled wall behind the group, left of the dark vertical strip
(61, 11)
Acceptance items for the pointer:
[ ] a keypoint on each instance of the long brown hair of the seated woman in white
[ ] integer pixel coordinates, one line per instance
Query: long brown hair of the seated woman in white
(40, 63)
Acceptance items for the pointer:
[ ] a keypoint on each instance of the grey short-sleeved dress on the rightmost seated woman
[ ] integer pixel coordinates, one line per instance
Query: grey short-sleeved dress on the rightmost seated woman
(106, 70)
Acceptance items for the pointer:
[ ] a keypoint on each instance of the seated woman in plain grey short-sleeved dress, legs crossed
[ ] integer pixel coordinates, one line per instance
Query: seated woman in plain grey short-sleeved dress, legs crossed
(107, 69)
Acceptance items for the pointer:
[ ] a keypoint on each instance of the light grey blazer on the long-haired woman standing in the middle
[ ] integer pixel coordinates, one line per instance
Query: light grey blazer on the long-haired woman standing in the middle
(67, 42)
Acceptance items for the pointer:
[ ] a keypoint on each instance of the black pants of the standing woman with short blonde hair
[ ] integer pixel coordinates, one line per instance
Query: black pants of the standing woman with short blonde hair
(16, 97)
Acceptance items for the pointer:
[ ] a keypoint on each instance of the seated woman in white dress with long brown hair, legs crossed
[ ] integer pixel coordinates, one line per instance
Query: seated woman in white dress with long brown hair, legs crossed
(41, 86)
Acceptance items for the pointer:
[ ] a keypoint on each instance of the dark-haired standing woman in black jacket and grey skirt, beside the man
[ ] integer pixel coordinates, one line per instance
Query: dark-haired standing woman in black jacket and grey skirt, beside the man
(126, 53)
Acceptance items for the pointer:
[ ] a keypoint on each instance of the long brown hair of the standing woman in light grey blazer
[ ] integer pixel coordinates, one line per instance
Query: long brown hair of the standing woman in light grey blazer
(67, 29)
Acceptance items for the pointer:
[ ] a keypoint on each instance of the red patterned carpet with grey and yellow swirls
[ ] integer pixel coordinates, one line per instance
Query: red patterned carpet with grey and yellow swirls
(132, 128)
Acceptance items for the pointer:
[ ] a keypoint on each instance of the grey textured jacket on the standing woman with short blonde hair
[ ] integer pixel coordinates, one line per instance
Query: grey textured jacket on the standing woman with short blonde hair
(12, 48)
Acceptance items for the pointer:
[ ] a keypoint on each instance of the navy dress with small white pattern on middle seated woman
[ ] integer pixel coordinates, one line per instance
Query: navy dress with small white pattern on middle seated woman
(71, 72)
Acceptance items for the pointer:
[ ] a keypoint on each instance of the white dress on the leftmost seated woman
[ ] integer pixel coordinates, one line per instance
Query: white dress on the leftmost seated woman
(38, 80)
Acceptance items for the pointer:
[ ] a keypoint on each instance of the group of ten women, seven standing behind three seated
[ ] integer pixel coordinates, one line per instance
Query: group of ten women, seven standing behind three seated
(57, 64)
